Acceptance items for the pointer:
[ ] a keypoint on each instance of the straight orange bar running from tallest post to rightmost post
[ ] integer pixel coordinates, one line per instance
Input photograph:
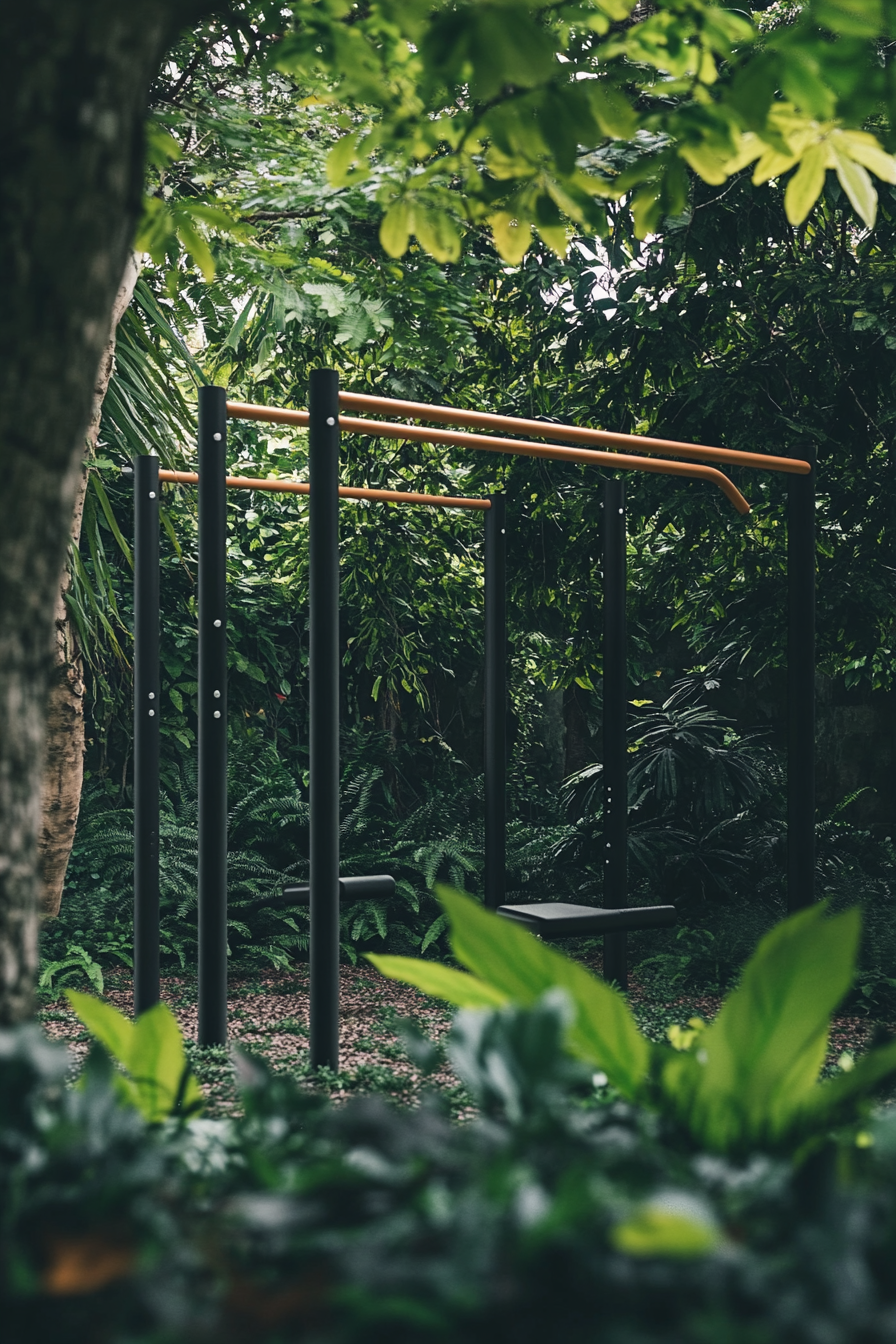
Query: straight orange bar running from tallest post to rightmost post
(570, 433)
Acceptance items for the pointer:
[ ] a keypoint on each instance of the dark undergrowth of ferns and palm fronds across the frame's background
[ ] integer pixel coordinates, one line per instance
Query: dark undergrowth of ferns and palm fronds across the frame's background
(707, 834)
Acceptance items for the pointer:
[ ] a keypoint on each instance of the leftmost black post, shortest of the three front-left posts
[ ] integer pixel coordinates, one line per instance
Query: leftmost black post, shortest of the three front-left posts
(147, 710)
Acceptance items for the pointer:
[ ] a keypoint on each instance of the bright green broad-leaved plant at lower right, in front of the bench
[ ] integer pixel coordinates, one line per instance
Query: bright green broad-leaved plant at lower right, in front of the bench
(752, 1080)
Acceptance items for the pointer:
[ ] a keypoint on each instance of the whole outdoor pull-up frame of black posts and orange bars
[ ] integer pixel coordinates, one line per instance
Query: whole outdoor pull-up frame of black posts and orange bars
(326, 425)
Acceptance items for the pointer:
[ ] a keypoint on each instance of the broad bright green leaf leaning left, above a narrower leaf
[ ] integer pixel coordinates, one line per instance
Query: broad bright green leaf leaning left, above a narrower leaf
(504, 955)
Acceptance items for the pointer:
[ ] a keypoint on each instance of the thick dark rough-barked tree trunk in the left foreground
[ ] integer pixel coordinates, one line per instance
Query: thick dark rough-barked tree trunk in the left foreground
(75, 83)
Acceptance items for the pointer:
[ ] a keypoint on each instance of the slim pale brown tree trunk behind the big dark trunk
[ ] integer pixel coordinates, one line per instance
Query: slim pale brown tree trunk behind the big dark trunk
(64, 768)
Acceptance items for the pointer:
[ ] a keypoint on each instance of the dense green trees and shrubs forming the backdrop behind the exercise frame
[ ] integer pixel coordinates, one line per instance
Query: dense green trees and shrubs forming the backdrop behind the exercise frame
(723, 329)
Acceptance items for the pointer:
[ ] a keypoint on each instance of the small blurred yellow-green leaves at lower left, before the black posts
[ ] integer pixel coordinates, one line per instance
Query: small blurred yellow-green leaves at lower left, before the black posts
(151, 1052)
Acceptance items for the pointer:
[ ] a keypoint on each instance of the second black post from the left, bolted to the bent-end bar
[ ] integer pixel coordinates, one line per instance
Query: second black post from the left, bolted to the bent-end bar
(213, 717)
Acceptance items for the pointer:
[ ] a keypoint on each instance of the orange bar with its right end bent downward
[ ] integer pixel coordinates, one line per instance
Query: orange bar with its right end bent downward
(490, 444)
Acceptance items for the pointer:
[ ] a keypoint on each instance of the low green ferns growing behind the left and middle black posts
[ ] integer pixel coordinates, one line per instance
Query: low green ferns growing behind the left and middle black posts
(436, 837)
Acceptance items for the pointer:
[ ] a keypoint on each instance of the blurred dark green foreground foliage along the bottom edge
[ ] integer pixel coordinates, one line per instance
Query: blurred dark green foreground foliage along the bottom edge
(365, 1222)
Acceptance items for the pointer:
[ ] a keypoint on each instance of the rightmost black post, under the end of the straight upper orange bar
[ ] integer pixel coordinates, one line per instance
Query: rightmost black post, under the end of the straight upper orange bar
(801, 690)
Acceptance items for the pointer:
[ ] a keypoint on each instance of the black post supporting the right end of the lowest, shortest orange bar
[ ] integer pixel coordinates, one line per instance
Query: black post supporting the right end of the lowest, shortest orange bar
(495, 702)
